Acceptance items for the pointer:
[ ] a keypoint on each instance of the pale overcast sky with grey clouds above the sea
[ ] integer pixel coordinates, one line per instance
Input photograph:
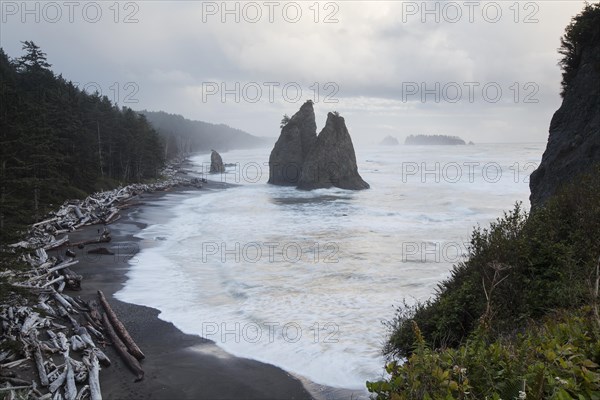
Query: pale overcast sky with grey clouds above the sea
(388, 67)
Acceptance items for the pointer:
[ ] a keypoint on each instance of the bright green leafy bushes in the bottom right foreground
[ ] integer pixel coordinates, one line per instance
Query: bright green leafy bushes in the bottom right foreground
(558, 359)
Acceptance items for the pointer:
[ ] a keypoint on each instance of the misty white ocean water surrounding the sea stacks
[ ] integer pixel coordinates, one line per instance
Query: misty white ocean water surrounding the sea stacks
(306, 280)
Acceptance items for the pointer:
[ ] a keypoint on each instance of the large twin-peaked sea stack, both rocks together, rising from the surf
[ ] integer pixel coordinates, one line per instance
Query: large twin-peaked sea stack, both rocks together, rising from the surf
(301, 158)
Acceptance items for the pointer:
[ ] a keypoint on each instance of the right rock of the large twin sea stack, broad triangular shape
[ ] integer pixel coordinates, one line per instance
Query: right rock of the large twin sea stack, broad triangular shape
(332, 161)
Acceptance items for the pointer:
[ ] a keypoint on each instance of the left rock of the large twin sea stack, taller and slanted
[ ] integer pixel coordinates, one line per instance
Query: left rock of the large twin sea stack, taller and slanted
(297, 138)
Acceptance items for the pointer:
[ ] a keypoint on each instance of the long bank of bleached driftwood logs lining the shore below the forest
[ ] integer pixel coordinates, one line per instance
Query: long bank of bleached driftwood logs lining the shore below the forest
(60, 334)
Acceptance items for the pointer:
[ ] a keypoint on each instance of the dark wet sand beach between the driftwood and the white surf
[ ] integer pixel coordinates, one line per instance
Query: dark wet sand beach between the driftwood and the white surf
(177, 366)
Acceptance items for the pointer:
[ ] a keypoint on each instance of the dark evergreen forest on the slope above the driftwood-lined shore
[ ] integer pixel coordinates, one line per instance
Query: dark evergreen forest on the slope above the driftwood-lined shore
(58, 141)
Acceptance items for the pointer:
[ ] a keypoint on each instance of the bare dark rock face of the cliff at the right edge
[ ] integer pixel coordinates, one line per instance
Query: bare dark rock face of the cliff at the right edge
(574, 143)
